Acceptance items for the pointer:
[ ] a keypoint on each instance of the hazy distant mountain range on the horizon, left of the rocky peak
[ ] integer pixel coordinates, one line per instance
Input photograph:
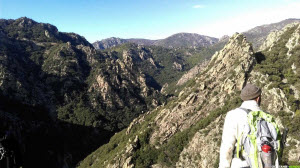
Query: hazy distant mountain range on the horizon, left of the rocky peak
(189, 40)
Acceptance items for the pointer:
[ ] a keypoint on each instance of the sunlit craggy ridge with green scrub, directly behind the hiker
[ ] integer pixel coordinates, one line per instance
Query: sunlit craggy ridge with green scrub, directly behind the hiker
(186, 132)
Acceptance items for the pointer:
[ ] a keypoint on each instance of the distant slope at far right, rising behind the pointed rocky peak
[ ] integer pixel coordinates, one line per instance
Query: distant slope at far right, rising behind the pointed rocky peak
(259, 34)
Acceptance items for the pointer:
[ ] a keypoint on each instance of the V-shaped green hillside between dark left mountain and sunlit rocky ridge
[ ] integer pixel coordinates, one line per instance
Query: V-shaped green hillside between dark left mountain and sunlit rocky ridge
(164, 65)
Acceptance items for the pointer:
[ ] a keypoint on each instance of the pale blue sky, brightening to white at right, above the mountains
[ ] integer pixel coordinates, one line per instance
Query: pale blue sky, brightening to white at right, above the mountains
(151, 19)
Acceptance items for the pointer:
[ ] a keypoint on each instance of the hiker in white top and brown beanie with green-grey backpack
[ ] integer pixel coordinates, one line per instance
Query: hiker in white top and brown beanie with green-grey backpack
(240, 146)
